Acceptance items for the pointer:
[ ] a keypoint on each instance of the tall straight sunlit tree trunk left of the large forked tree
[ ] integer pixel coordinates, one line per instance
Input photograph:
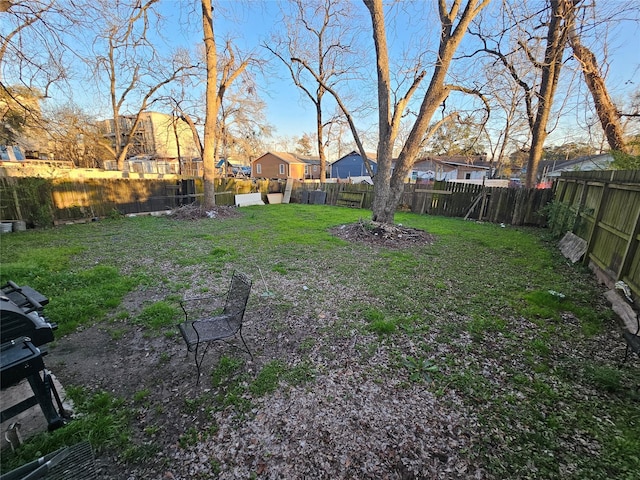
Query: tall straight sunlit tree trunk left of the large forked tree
(211, 109)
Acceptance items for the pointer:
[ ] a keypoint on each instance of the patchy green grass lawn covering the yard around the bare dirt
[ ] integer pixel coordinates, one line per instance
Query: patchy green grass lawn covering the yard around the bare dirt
(489, 321)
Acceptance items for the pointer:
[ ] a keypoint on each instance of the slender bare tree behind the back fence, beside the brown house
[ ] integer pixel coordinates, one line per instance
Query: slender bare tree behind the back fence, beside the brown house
(318, 38)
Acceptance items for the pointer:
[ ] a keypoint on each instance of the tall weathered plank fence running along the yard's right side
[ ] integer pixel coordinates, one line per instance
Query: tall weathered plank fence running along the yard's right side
(607, 207)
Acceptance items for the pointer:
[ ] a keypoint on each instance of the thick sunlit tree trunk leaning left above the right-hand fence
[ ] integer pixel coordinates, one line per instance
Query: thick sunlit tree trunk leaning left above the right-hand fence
(606, 110)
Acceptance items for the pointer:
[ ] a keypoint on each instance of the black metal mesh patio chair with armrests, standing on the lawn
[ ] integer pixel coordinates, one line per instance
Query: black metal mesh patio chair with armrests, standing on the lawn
(202, 327)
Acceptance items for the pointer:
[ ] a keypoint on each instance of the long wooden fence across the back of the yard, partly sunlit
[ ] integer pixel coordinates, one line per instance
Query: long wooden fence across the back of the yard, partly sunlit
(41, 202)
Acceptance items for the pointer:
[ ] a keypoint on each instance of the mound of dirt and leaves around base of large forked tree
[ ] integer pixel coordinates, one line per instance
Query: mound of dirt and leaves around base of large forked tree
(382, 234)
